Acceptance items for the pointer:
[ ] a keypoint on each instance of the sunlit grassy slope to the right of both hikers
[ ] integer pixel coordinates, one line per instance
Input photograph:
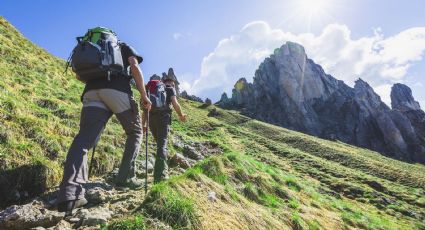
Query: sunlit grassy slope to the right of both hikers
(271, 177)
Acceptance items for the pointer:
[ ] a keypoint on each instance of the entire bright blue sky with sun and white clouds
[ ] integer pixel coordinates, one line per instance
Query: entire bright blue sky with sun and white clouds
(196, 37)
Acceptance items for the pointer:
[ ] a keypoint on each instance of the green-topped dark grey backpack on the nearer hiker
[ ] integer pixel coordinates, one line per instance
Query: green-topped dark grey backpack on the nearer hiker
(97, 55)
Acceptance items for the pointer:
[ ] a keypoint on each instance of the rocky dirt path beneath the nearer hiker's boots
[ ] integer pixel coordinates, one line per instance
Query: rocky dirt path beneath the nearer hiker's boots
(105, 203)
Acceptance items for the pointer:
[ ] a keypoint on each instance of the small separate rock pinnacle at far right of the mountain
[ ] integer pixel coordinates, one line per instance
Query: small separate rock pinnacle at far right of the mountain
(402, 99)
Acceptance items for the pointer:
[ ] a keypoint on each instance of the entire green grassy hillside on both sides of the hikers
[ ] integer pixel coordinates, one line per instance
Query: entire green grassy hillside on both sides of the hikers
(244, 174)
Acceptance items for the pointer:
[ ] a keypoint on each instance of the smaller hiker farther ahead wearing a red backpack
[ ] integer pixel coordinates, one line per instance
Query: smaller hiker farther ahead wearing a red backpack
(160, 120)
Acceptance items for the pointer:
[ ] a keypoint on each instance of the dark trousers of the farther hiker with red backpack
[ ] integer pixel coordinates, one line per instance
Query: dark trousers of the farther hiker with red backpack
(159, 124)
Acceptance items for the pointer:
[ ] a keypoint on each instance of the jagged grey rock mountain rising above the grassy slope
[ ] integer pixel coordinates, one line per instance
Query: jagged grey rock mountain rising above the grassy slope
(292, 91)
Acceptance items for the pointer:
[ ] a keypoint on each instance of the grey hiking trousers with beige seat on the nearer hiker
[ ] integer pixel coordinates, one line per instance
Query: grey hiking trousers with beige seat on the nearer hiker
(98, 107)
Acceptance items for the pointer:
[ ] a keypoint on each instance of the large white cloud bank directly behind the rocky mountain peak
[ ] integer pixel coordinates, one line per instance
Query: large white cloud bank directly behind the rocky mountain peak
(379, 60)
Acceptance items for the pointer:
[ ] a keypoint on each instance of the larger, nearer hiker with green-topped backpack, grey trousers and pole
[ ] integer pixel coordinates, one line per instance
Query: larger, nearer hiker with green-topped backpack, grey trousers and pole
(107, 91)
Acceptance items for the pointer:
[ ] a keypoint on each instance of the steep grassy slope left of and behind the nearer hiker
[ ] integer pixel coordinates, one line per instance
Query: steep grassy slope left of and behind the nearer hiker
(38, 117)
